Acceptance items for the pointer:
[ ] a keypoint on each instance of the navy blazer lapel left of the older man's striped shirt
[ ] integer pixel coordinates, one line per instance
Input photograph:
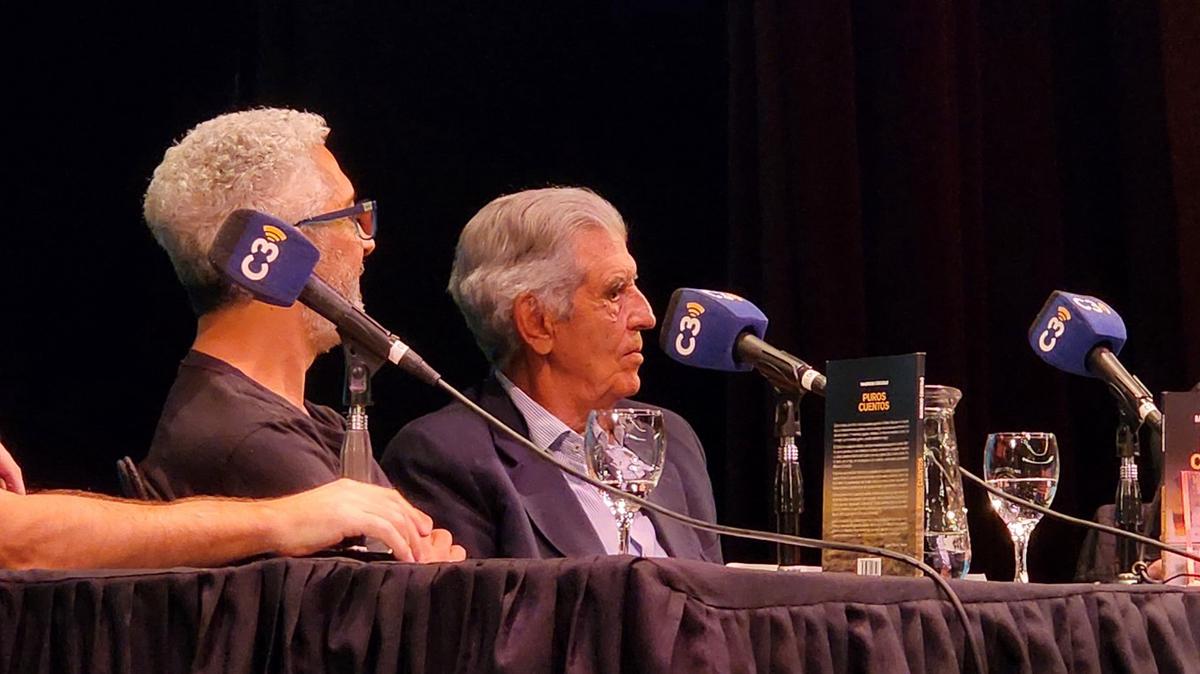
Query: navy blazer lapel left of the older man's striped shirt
(548, 500)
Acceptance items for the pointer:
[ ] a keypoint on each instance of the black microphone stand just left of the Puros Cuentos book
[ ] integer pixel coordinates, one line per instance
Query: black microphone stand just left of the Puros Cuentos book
(789, 482)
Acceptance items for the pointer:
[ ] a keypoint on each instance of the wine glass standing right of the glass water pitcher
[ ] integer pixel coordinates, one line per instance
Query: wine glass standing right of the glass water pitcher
(1025, 466)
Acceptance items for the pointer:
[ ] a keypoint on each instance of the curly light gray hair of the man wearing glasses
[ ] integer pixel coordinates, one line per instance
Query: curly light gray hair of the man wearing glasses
(259, 160)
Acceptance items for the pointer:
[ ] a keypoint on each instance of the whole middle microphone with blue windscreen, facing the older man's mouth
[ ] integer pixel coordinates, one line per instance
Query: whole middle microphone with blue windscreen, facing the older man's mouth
(723, 332)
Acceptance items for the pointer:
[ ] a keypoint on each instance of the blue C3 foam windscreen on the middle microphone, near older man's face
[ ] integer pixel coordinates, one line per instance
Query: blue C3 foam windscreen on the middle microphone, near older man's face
(701, 328)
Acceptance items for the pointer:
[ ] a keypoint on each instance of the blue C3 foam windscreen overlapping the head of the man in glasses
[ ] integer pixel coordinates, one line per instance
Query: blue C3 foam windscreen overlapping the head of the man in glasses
(266, 256)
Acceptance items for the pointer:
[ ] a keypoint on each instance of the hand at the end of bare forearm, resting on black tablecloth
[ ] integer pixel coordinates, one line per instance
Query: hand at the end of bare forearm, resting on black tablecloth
(322, 517)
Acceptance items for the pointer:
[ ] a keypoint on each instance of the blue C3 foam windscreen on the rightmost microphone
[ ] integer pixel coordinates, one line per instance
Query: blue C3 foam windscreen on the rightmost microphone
(1070, 327)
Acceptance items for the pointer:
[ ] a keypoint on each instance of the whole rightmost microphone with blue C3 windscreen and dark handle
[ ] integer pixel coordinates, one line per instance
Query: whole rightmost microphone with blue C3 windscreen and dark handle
(1082, 335)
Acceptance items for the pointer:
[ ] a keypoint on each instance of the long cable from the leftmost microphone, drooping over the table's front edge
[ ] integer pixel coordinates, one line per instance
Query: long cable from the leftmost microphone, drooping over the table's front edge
(751, 534)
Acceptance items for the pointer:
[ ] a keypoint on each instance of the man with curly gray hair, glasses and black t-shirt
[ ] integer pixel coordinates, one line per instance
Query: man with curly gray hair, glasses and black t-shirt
(237, 423)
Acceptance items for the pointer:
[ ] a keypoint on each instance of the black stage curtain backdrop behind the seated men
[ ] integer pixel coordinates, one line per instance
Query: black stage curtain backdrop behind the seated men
(880, 178)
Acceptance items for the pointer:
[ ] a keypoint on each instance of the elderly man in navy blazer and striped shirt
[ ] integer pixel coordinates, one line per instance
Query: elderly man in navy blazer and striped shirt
(549, 290)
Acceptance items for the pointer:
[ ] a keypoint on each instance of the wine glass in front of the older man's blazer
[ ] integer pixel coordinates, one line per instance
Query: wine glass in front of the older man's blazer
(626, 449)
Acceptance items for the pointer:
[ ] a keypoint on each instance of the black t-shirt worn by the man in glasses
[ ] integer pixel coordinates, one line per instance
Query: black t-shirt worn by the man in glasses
(223, 434)
